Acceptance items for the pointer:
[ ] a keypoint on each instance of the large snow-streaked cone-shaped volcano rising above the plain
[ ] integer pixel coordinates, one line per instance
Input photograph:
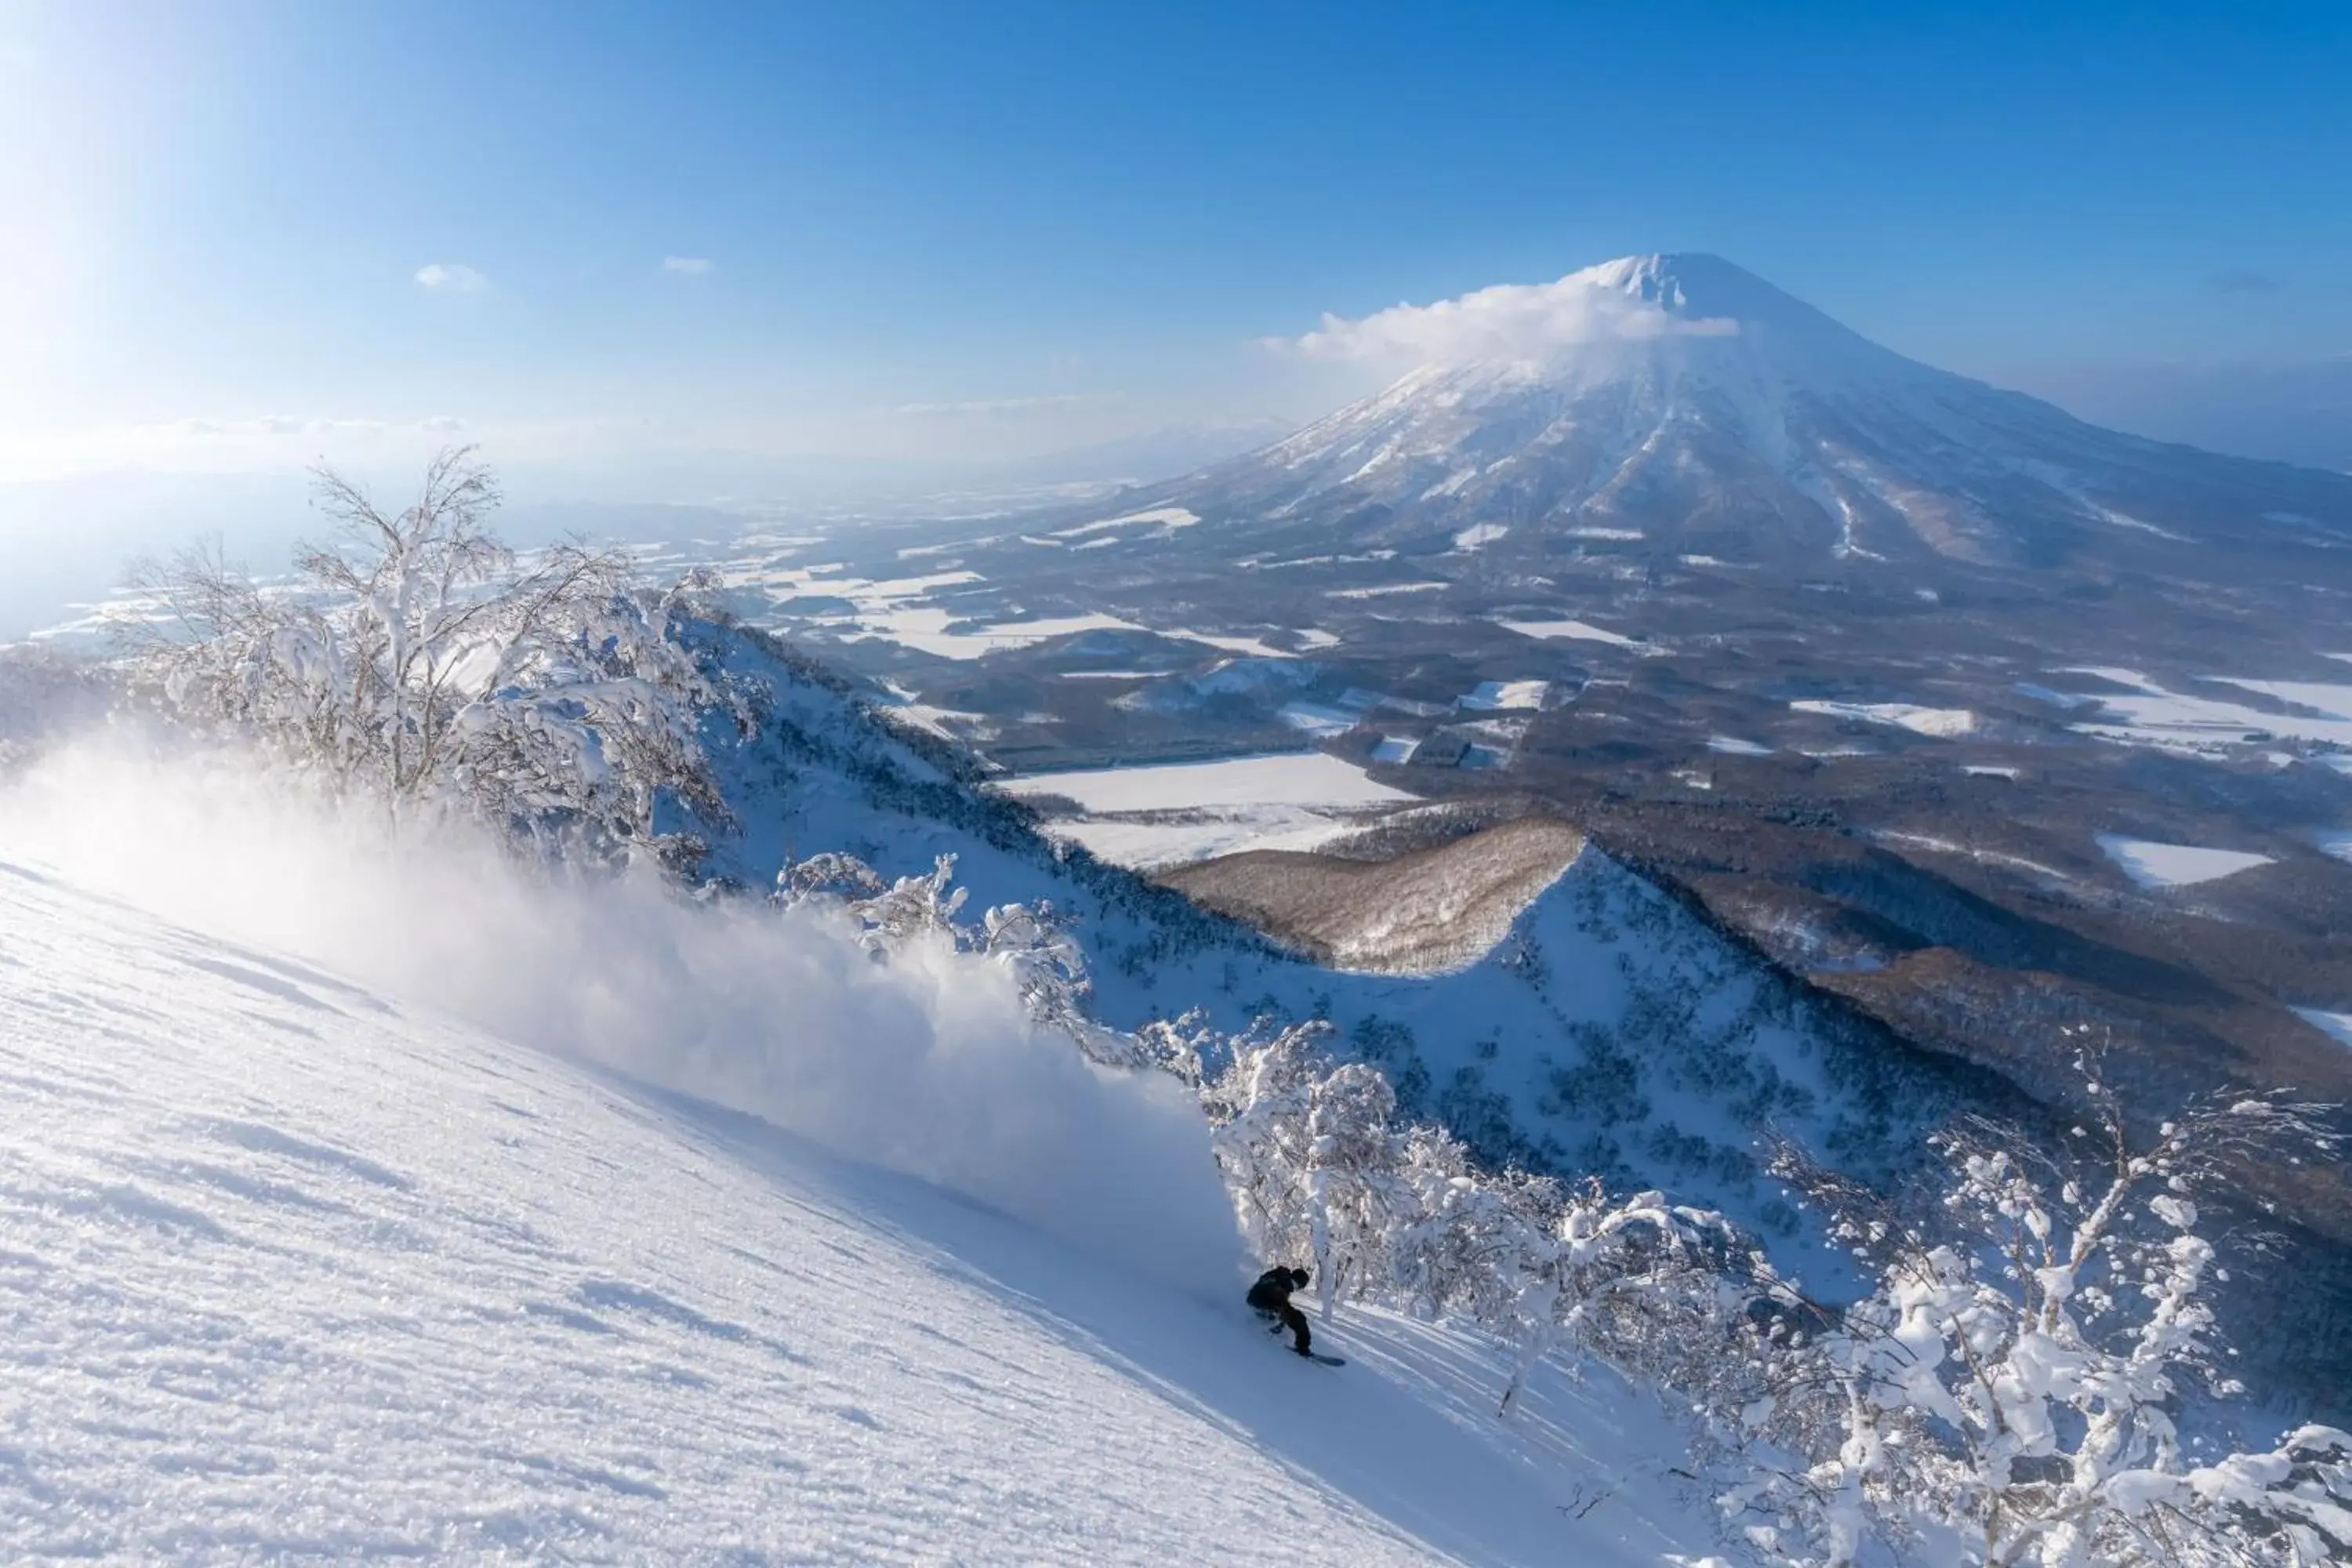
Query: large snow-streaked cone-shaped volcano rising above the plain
(1688, 403)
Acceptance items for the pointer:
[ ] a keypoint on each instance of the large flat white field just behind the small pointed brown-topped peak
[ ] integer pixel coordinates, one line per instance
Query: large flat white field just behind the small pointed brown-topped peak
(1187, 812)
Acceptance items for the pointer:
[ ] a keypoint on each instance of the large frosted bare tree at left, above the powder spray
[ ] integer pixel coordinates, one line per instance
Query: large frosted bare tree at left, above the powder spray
(420, 662)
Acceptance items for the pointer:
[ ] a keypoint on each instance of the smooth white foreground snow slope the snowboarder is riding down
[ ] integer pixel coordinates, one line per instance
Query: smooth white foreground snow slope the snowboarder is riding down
(293, 1268)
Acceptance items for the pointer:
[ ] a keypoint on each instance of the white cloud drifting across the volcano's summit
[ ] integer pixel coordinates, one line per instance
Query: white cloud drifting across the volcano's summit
(1506, 321)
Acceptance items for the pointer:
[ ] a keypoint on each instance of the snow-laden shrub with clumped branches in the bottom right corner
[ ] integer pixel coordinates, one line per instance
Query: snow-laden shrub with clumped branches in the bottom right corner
(2007, 1391)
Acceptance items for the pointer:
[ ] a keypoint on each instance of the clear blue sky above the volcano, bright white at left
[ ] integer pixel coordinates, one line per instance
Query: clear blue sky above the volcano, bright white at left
(975, 229)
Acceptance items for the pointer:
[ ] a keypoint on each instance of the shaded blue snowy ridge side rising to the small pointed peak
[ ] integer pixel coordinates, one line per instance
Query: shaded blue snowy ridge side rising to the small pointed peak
(1608, 1033)
